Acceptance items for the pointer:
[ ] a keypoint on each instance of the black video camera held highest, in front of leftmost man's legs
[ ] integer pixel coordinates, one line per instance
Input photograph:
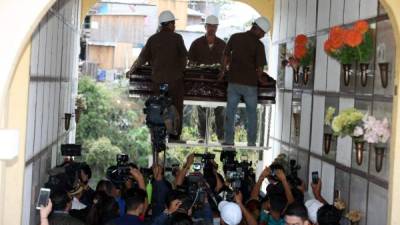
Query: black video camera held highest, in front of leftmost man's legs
(161, 118)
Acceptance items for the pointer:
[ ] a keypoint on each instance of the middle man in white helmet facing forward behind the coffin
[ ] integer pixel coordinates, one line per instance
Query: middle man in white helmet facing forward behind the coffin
(208, 50)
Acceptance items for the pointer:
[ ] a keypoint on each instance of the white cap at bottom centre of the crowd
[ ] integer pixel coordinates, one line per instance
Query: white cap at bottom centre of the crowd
(230, 212)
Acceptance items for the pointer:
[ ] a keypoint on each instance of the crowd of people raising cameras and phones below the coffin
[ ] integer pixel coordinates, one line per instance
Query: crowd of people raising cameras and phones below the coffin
(161, 202)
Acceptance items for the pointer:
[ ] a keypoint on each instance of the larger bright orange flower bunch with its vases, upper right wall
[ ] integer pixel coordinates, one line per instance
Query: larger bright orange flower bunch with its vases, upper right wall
(348, 46)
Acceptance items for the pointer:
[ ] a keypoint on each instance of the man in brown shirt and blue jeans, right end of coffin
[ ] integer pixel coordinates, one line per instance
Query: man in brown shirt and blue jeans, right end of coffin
(244, 60)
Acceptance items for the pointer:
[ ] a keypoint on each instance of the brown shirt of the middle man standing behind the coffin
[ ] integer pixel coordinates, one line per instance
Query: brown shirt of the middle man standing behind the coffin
(201, 53)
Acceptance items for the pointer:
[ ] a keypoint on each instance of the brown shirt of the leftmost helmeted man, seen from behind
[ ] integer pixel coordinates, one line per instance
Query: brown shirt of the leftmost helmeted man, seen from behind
(167, 54)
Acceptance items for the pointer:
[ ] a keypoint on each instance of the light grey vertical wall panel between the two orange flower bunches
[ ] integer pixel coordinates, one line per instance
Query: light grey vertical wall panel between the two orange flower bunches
(321, 60)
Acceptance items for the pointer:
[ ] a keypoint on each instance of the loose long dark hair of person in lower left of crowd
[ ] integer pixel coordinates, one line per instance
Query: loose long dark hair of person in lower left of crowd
(104, 209)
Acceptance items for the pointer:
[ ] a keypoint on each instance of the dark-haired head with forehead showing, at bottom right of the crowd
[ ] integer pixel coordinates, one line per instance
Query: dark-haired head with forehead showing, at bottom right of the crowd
(296, 214)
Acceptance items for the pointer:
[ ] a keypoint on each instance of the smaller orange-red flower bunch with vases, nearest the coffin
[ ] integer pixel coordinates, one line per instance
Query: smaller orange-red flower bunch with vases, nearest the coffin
(302, 57)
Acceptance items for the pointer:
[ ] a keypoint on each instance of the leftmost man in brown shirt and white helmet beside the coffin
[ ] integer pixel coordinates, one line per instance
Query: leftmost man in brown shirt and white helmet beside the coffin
(167, 54)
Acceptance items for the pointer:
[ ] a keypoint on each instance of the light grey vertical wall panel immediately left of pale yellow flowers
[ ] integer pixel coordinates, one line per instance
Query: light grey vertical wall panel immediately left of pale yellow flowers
(317, 124)
